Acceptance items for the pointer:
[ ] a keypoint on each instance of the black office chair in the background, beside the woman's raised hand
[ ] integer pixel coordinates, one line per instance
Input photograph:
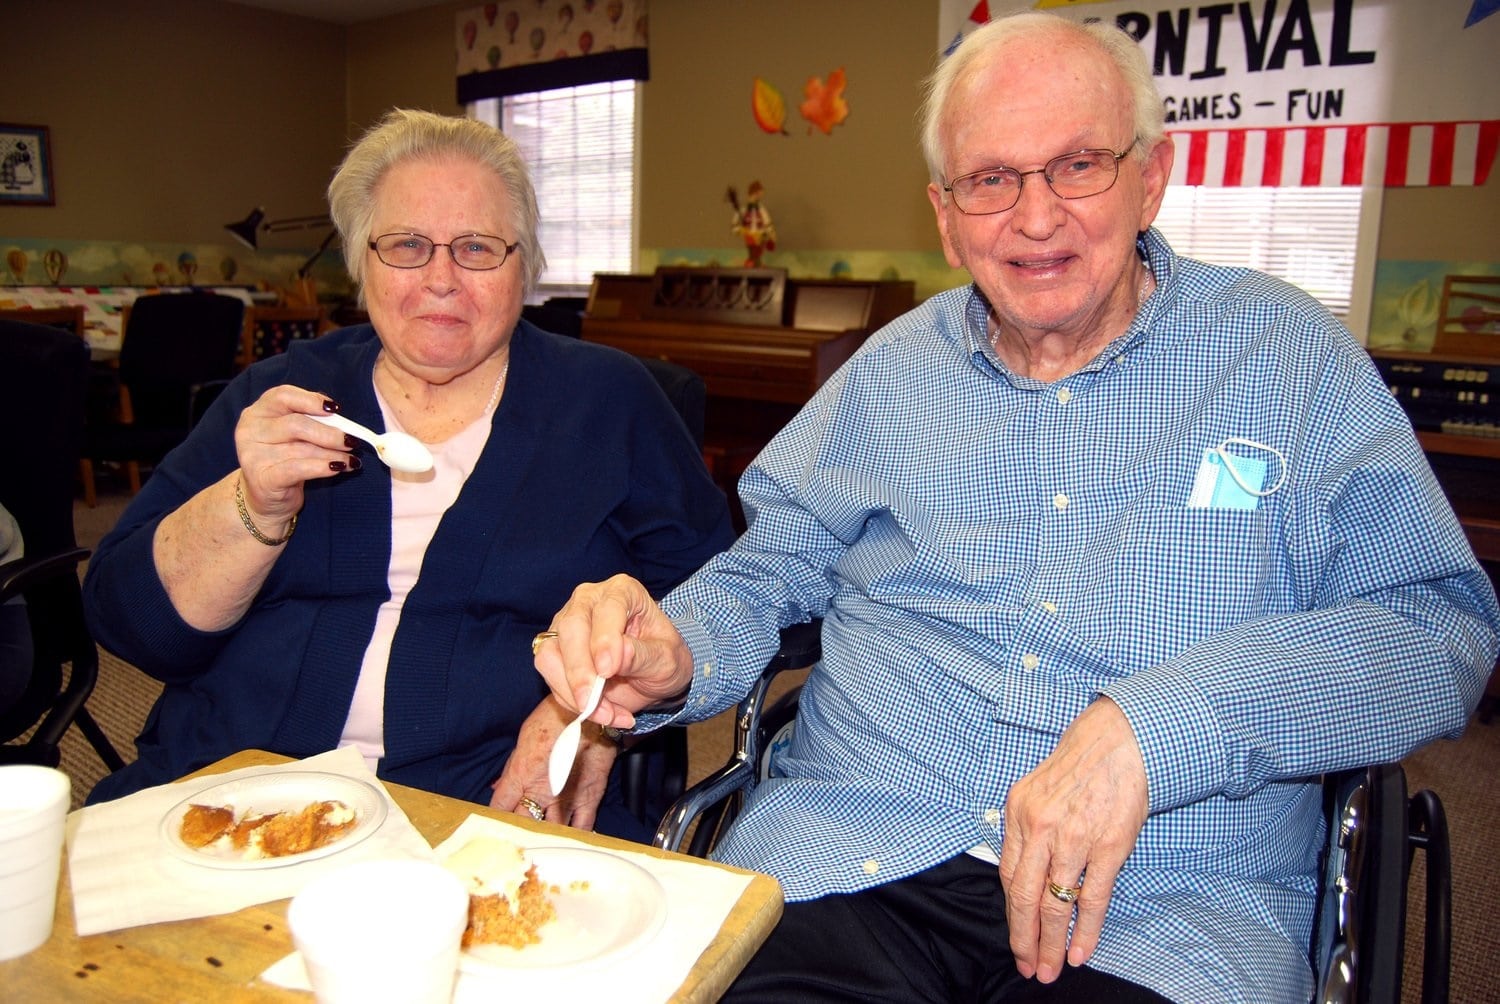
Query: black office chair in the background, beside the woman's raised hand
(178, 353)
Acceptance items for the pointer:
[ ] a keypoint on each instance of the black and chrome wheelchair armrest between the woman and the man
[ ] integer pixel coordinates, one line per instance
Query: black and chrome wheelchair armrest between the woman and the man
(802, 646)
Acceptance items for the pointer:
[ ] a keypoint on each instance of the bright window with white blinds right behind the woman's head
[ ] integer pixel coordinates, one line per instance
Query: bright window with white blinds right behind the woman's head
(581, 146)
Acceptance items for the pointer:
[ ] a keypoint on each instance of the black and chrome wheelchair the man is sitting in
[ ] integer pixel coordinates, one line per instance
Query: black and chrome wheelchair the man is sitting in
(1373, 832)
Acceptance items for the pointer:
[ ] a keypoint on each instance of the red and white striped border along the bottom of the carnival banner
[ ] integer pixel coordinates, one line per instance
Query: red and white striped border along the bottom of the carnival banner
(1397, 155)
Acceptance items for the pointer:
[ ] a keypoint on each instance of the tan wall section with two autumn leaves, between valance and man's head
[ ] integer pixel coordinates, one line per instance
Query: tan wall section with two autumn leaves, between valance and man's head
(860, 188)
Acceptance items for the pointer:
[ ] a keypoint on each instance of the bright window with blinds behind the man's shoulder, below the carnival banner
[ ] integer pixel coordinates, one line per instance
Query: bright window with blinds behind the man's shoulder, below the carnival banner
(1307, 236)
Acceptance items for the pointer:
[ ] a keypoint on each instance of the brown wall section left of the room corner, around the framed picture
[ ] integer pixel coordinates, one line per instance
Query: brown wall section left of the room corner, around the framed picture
(169, 121)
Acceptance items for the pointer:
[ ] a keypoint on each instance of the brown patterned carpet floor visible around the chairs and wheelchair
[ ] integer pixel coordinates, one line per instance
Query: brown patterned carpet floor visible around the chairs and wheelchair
(1463, 775)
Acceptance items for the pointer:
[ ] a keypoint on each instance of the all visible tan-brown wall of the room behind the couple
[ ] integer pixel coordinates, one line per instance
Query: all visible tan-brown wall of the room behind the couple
(169, 121)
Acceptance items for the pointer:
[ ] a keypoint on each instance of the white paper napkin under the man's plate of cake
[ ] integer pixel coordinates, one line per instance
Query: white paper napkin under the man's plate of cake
(698, 900)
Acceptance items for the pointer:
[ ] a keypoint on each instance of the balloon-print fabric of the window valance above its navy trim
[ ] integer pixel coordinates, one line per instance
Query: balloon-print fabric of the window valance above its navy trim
(499, 37)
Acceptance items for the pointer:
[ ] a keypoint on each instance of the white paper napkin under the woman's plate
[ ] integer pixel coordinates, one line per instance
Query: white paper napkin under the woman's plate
(124, 876)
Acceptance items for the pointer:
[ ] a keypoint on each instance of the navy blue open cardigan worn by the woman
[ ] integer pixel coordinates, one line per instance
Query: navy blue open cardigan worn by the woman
(587, 473)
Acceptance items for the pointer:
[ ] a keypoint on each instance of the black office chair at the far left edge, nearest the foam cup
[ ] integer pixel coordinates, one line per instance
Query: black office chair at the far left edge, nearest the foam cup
(44, 371)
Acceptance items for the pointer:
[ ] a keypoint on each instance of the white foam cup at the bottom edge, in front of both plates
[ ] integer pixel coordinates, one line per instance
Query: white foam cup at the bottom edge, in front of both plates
(382, 931)
